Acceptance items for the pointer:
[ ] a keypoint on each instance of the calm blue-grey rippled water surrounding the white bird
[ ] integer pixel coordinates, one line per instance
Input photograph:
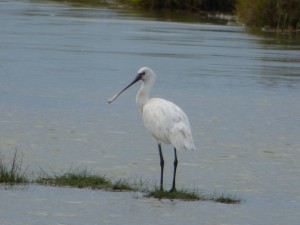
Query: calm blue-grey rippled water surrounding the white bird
(241, 91)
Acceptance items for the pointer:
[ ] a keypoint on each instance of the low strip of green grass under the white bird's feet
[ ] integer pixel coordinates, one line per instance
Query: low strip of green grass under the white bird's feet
(12, 173)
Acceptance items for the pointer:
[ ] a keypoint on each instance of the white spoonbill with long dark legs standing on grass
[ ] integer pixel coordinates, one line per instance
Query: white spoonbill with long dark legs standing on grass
(165, 121)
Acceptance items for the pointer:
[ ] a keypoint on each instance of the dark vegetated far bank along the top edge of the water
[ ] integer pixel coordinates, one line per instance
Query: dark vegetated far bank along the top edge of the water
(275, 15)
